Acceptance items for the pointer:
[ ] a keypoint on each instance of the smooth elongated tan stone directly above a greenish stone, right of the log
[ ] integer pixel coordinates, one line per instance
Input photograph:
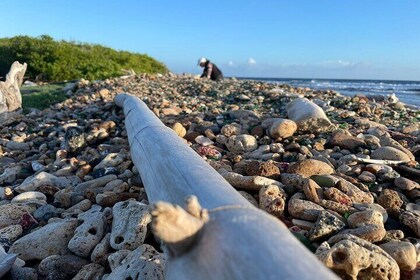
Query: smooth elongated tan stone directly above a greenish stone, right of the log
(310, 167)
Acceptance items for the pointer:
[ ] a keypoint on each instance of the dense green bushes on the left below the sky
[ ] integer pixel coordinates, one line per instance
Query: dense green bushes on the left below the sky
(50, 60)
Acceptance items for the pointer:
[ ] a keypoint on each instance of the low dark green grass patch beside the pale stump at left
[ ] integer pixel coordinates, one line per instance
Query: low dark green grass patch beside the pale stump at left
(42, 97)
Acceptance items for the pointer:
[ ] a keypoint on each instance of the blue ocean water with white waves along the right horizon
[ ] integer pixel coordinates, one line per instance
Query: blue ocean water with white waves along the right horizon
(407, 91)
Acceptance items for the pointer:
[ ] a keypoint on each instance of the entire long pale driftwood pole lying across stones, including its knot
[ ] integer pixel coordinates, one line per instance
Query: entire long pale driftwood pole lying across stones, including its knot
(230, 240)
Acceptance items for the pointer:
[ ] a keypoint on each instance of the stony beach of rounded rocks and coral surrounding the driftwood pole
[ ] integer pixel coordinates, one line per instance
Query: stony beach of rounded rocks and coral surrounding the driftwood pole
(341, 172)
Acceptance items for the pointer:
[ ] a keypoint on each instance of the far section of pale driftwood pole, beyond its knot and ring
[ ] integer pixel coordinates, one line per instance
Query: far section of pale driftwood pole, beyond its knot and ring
(170, 170)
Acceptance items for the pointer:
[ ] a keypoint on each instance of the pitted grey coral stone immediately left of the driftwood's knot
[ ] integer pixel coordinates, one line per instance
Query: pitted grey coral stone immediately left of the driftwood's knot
(129, 225)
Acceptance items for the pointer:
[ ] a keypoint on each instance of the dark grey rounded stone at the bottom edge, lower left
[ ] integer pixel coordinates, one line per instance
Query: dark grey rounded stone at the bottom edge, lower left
(61, 267)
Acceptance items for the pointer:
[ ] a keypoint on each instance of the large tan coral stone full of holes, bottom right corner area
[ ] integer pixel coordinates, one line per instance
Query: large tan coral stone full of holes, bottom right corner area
(351, 257)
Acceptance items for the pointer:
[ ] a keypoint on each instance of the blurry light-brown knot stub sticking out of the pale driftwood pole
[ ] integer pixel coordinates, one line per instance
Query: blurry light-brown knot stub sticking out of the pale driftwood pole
(178, 228)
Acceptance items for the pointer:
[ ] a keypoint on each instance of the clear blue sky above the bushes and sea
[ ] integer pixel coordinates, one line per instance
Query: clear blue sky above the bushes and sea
(362, 39)
